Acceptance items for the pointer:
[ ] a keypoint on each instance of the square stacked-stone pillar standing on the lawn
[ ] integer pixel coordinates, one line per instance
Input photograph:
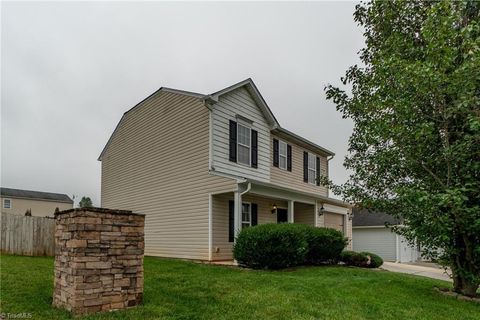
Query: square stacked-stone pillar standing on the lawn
(98, 259)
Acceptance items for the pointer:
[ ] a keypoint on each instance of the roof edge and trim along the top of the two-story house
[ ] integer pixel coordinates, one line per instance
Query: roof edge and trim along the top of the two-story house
(213, 98)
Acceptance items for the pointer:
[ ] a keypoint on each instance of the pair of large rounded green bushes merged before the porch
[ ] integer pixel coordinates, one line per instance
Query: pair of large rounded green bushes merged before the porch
(277, 246)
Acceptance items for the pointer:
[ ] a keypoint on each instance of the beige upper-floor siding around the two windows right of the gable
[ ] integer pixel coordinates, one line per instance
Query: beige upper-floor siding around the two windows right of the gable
(294, 179)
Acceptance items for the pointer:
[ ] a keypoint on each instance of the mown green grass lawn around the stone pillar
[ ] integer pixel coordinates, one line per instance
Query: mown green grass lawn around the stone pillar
(185, 290)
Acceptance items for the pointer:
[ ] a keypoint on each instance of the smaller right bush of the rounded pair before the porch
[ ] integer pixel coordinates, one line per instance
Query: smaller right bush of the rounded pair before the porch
(324, 245)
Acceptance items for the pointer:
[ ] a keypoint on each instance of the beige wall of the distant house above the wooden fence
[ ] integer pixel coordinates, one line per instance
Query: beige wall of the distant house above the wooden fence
(40, 208)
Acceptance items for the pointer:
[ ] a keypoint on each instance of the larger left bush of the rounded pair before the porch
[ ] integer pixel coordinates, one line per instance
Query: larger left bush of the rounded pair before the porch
(271, 246)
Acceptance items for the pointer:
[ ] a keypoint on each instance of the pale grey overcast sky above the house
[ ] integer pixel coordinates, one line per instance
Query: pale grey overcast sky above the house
(70, 70)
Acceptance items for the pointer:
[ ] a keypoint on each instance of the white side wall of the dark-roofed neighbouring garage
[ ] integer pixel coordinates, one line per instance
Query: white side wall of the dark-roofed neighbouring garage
(380, 241)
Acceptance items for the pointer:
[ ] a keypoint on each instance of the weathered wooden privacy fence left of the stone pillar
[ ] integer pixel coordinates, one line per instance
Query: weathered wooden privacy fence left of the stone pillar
(26, 235)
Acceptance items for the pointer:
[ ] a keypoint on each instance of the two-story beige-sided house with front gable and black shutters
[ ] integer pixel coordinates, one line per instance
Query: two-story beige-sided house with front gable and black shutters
(202, 167)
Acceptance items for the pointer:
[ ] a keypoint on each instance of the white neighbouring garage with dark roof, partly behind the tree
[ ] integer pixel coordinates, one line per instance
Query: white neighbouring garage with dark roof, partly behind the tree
(371, 234)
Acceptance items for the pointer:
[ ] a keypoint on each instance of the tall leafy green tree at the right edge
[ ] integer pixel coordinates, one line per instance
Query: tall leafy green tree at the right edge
(415, 148)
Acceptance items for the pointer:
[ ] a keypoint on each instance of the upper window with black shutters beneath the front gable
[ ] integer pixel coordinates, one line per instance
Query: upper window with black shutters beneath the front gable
(243, 144)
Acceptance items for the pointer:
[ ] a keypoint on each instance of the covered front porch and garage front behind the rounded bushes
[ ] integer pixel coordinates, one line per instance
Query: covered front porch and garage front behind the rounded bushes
(258, 203)
